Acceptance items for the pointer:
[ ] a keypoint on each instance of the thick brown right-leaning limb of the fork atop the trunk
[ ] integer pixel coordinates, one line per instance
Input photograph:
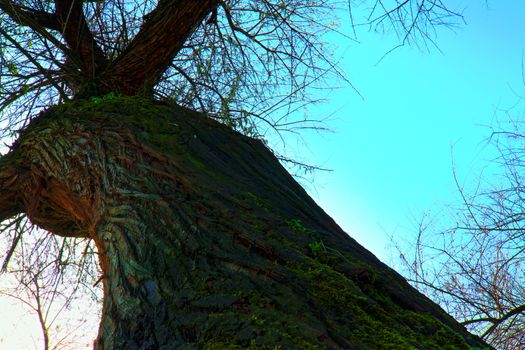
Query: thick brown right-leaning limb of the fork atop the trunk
(162, 36)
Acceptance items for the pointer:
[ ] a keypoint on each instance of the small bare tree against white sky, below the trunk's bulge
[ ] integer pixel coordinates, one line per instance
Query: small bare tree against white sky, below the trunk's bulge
(55, 278)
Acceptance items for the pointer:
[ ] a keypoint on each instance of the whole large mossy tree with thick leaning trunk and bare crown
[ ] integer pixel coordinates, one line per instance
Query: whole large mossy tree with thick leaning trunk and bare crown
(126, 117)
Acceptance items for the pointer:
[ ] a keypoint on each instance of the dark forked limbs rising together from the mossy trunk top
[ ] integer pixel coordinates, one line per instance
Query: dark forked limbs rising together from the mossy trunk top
(140, 65)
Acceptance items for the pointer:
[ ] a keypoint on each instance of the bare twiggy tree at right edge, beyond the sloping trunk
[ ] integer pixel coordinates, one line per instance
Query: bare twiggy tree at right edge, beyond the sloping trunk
(472, 263)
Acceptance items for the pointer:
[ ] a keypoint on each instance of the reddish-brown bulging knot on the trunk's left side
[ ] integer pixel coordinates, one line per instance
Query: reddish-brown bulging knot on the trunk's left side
(53, 185)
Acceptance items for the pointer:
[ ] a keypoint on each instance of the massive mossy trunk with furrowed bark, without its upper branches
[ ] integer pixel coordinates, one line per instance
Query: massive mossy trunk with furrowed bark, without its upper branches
(205, 240)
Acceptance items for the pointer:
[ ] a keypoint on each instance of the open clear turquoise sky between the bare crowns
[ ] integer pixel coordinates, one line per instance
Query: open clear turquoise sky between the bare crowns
(392, 151)
